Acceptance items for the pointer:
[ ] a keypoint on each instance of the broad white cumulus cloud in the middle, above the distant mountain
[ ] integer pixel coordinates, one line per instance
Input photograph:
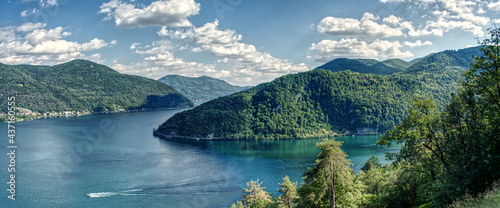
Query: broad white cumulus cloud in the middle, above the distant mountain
(237, 62)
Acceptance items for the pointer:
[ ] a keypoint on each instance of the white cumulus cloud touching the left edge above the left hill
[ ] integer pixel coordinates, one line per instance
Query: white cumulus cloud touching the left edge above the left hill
(31, 43)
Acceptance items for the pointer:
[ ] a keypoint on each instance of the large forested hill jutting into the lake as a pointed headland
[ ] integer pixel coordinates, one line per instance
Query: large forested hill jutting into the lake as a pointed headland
(321, 102)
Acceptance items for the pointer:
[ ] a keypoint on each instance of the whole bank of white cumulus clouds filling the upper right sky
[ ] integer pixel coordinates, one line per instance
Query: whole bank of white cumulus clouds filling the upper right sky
(364, 37)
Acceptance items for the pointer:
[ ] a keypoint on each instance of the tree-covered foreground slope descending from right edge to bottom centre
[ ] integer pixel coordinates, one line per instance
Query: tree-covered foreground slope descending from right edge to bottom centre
(450, 157)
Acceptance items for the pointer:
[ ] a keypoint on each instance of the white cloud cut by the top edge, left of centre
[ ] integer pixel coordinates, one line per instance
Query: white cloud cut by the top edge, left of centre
(170, 13)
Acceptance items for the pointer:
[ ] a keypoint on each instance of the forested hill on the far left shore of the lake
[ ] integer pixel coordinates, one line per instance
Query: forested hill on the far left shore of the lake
(83, 86)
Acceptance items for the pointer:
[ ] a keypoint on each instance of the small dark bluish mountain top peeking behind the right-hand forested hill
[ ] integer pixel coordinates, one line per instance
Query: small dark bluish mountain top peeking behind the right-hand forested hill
(390, 66)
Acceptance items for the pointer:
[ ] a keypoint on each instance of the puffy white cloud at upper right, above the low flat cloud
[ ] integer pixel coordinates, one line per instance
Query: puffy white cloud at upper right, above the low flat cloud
(367, 26)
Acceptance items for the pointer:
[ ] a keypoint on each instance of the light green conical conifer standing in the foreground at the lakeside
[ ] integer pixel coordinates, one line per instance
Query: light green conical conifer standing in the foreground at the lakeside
(330, 182)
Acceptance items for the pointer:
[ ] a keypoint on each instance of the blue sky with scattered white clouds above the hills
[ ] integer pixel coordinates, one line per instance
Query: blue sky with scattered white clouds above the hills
(245, 42)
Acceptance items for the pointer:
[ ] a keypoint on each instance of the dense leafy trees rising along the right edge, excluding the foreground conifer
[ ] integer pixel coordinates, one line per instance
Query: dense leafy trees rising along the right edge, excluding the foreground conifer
(454, 152)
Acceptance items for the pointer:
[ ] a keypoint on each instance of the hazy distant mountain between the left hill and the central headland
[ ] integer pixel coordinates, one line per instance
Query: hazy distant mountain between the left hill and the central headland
(202, 88)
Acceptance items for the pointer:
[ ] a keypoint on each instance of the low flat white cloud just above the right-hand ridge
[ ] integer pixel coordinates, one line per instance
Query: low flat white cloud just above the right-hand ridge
(327, 50)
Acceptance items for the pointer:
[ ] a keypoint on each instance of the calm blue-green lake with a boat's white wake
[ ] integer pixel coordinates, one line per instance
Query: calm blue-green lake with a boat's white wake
(115, 161)
